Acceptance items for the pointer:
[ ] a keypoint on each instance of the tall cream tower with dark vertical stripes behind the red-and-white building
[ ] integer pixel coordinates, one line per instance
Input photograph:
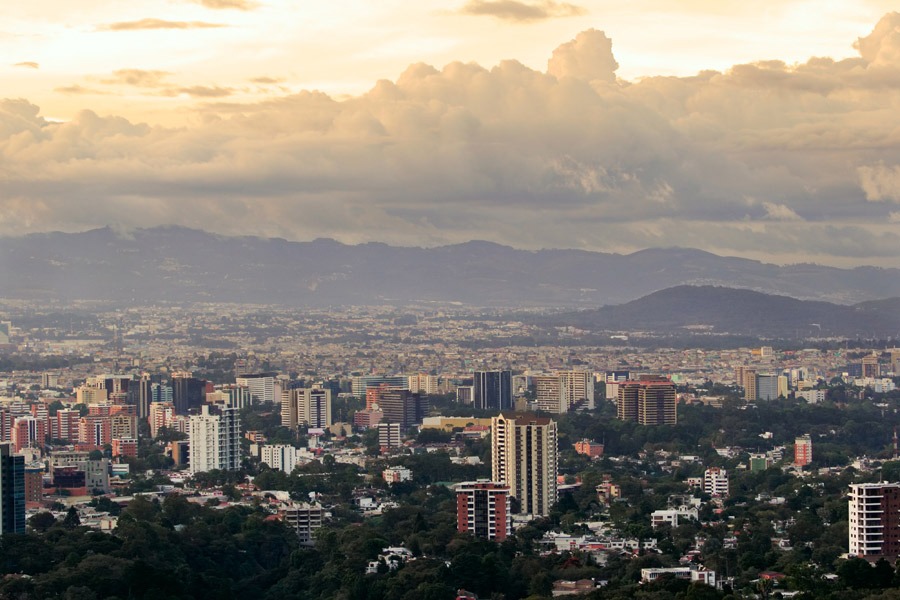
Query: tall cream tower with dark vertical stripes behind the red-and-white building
(524, 457)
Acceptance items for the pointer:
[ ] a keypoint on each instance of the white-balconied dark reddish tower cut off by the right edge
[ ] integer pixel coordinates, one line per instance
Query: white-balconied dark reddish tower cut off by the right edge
(874, 527)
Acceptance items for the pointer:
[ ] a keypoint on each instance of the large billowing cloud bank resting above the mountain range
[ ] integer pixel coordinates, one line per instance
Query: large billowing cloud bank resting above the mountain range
(567, 157)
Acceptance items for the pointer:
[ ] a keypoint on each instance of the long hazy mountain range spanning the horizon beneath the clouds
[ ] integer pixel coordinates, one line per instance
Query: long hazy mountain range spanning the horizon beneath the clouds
(175, 263)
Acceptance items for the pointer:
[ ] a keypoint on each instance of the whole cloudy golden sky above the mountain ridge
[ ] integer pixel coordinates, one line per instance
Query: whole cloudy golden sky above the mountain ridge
(768, 130)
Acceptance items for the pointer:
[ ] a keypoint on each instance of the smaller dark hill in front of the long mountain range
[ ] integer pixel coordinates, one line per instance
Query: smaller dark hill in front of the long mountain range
(708, 309)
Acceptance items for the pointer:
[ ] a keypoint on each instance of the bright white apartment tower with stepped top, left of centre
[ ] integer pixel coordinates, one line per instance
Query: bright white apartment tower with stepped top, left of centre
(215, 440)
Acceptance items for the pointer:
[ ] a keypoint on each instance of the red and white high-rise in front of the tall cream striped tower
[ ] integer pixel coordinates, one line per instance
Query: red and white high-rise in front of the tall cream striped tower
(482, 508)
